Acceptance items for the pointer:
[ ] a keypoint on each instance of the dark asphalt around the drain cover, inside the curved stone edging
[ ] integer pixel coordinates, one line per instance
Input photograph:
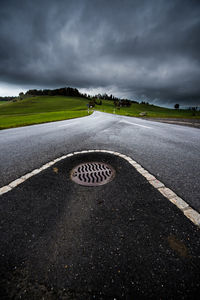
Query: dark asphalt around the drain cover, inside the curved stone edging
(122, 240)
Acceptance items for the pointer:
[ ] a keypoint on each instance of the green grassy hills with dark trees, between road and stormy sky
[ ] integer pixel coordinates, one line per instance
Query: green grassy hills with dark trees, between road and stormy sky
(43, 106)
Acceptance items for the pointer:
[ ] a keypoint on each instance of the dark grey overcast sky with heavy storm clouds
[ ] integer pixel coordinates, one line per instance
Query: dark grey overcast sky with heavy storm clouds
(144, 50)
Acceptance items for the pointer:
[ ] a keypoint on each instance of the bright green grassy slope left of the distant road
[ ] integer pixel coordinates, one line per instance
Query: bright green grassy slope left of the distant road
(35, 110)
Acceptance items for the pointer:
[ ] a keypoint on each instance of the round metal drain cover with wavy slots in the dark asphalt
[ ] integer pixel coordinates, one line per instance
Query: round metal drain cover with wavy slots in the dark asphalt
(92, 173)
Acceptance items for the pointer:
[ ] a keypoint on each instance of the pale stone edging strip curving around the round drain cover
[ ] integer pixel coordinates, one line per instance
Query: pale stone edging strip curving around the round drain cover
(189, 212)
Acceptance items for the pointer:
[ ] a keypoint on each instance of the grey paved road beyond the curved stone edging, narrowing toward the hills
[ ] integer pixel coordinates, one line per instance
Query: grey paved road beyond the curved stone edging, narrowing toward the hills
(170, 152)
